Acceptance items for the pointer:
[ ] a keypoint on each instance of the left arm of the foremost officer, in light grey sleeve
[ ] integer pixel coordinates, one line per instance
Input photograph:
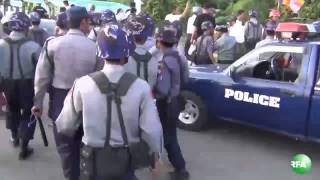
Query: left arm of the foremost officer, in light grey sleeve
(69, 119)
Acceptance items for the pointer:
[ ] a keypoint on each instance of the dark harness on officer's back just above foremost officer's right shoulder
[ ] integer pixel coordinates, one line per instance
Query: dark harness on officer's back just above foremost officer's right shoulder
(142, 59)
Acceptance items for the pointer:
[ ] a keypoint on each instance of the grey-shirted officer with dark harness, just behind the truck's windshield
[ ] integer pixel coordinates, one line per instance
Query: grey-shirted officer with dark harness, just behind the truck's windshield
(252, 31)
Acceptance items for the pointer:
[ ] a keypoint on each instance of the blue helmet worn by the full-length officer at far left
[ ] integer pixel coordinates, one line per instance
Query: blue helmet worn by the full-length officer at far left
(19, 21)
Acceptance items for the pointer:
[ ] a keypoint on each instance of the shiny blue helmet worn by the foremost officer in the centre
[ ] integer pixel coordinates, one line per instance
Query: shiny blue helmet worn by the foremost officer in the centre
(113, 43)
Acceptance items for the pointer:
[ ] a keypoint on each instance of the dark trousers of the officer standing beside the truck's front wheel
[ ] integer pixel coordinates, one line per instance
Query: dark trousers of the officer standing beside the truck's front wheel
(169, 112)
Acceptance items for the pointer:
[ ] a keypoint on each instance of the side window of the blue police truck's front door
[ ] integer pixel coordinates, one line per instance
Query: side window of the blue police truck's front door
(276, 64)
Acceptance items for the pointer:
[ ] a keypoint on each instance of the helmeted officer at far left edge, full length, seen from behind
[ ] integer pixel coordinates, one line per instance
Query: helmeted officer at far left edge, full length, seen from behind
(18, 60)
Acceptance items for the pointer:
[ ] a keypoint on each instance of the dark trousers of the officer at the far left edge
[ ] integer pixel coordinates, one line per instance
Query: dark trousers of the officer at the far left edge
(19, 95)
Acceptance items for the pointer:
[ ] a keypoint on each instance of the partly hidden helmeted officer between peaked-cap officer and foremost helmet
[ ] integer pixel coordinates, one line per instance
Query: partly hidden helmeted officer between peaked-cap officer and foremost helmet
(107, 17)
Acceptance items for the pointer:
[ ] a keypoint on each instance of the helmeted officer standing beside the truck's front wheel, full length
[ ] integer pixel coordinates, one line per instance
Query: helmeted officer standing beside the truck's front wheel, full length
(167, 92)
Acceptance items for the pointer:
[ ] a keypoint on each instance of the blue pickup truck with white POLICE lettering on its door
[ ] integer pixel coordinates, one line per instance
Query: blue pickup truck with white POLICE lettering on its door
(259, 90)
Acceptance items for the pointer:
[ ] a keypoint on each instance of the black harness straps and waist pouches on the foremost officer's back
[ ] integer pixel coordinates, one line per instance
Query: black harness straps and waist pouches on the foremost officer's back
(113, 162)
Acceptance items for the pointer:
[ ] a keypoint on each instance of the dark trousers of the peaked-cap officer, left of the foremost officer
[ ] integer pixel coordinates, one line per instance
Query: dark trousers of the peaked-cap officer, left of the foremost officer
(68, 148)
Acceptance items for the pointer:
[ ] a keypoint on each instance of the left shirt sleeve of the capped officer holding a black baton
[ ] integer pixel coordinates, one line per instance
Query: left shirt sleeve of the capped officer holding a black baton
(43, 77)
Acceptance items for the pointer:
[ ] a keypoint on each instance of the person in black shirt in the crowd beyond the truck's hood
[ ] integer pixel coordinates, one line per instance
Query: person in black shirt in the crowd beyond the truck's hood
(205, 16)
